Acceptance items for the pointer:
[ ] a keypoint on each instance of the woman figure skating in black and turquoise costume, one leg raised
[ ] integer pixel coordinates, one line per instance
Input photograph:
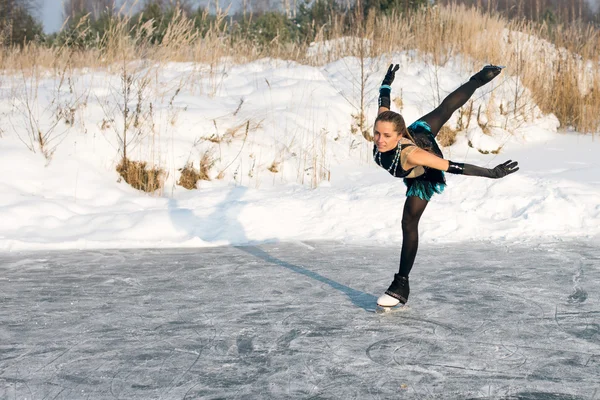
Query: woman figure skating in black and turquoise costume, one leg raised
(413, 154)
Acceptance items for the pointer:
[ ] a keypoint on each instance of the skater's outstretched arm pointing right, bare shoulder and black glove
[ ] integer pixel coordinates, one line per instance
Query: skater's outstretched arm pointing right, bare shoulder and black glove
(426, 159)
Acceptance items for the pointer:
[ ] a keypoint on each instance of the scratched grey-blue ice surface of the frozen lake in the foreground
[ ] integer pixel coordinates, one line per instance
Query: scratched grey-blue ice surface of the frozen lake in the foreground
(296, 320)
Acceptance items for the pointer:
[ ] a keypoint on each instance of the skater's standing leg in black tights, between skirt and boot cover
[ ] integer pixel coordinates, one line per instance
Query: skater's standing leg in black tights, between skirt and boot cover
(413, 209)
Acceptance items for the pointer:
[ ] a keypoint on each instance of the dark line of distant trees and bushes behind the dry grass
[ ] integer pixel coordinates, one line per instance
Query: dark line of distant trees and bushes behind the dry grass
(260, 20)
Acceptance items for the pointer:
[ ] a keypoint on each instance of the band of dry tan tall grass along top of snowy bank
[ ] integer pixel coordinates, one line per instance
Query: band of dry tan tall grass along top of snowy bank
(560, 80)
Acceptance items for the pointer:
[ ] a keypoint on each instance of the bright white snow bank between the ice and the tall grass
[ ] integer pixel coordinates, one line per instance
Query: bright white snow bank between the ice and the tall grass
(284, 161)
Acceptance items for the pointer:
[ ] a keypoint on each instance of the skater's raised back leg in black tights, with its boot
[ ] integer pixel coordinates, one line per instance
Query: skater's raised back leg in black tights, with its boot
(455, 100)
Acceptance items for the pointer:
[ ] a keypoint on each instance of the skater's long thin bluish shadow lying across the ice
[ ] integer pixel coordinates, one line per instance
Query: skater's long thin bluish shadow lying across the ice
(360, 299)
